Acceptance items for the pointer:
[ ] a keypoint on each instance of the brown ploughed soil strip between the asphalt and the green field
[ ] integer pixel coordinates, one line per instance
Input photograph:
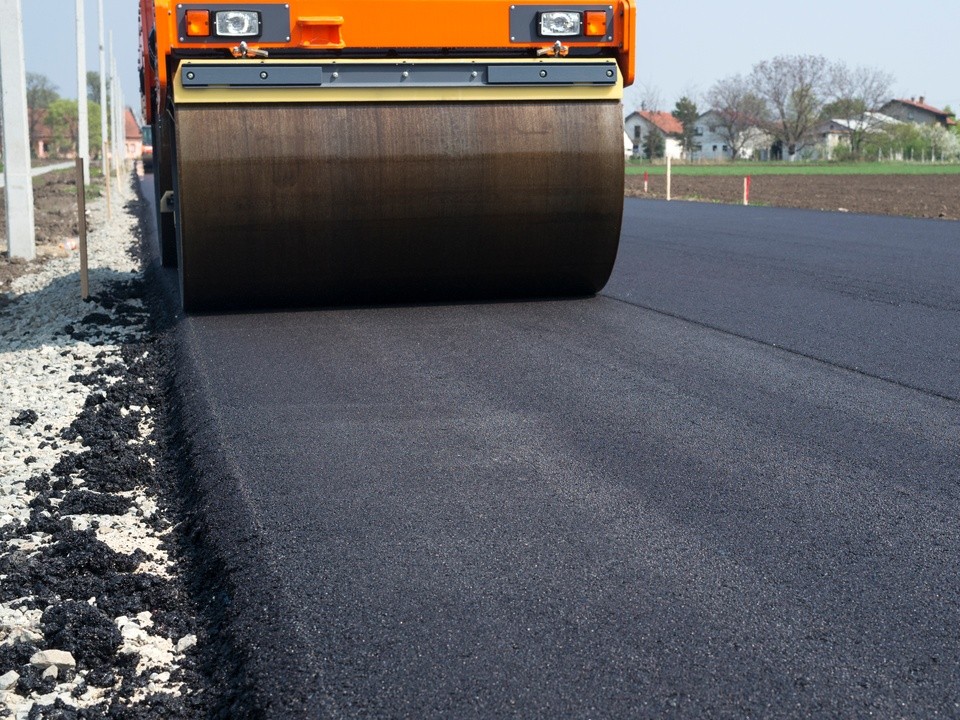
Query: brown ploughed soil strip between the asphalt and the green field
(924, 196)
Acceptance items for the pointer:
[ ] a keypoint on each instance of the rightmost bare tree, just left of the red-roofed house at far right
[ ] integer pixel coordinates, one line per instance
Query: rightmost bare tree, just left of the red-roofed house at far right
(858, 93)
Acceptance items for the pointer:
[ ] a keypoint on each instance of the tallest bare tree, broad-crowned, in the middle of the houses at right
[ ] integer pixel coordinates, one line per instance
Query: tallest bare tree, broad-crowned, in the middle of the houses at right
(795, 88)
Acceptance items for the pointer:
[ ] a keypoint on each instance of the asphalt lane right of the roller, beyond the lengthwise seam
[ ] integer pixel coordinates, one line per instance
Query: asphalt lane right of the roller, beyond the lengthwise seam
(876, 294)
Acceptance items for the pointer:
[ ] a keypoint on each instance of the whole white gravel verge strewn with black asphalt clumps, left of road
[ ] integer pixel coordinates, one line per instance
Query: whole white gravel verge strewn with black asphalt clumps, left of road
(95, 619)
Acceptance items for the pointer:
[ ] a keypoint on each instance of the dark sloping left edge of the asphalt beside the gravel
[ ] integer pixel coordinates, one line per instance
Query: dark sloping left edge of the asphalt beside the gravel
(229, 571)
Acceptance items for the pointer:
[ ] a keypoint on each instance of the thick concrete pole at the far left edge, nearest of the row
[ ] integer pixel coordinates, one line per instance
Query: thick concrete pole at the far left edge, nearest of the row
(16, 134)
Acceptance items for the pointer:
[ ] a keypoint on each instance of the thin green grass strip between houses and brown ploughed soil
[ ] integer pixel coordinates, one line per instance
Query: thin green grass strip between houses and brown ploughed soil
(740, 169)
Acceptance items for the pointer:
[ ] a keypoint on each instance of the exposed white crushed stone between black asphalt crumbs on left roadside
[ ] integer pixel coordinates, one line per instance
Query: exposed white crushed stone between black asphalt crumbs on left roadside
(36, 362)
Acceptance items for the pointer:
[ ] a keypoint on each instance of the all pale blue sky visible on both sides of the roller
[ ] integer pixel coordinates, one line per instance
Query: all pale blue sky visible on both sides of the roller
(683, 47)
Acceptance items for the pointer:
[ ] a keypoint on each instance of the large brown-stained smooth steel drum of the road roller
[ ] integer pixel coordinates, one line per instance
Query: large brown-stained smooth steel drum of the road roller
(314, 204)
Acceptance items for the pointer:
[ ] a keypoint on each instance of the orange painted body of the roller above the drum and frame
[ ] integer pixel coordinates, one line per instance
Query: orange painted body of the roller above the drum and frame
(374, 28)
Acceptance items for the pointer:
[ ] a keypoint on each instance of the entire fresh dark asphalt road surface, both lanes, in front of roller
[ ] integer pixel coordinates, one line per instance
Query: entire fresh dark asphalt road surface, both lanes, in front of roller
(596, 509)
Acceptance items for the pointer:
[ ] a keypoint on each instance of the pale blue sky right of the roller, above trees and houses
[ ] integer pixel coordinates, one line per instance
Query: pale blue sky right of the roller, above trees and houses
(688, 46)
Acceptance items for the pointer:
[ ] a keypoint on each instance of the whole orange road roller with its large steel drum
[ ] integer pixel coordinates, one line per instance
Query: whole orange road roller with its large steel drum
(318, 152)
